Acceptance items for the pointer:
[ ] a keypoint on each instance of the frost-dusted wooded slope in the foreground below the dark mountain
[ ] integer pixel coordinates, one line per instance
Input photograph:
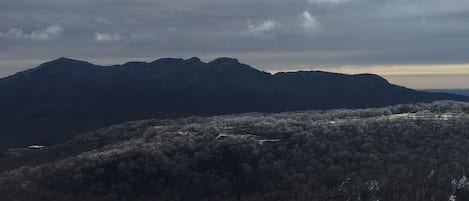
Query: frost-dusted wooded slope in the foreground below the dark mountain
(401, 153)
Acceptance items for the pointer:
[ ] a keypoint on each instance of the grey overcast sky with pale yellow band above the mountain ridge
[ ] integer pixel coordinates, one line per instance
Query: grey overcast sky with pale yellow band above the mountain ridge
(417, 43)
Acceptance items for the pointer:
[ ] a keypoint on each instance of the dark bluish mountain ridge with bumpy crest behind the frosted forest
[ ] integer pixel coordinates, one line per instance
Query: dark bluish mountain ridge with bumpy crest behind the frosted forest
(61, 98)
